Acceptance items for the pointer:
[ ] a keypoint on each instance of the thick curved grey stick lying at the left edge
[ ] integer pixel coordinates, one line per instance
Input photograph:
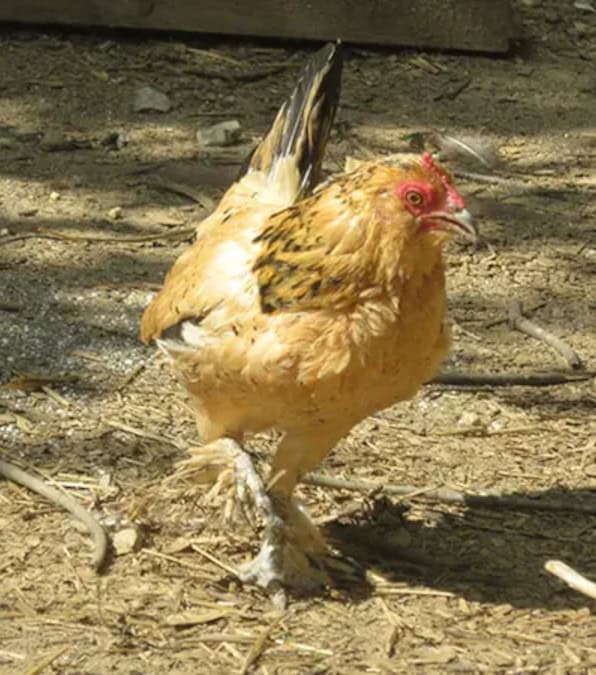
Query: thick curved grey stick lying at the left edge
(98, 534)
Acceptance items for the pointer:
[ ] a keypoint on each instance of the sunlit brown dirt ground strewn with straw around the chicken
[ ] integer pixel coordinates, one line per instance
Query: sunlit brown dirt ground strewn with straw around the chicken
(88, 227)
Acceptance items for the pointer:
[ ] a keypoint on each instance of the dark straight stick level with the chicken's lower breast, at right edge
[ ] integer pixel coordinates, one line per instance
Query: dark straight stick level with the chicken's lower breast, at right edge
(508, 379)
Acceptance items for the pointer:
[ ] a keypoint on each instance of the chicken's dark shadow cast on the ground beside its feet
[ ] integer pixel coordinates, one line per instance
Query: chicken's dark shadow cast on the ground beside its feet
(483, 554)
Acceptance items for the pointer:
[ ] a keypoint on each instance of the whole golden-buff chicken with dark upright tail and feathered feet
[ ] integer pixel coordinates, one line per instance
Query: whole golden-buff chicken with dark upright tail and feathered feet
(305, 310)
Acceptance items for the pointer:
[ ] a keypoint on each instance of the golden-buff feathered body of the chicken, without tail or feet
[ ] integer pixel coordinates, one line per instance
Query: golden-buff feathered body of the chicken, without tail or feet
(306, 314)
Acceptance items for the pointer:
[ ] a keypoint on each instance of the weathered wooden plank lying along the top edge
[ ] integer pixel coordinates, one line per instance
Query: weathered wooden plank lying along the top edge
(477, 25)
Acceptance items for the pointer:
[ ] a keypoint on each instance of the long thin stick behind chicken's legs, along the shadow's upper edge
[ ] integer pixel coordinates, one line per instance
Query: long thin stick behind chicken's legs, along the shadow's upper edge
(487, 499)
